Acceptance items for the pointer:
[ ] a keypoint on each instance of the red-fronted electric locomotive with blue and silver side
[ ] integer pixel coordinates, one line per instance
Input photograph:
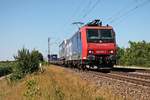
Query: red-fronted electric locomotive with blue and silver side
(92, 45)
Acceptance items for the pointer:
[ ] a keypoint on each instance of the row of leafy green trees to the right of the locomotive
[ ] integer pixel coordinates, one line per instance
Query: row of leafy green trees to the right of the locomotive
(137, 54)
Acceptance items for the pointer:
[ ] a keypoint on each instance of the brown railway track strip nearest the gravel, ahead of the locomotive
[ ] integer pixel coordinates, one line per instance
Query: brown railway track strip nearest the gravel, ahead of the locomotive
(124, 78)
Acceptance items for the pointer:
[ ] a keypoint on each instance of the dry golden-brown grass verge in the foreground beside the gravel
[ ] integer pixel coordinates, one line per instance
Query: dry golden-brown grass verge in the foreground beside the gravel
(54, 83)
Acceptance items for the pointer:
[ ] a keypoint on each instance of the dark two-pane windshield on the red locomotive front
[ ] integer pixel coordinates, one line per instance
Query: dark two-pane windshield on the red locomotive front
(97, 35)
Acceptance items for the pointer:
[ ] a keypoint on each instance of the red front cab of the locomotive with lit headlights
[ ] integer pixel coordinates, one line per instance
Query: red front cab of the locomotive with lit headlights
(100, 46)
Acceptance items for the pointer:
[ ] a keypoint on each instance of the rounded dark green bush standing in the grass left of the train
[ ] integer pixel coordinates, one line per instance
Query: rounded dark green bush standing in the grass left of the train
(26, 63)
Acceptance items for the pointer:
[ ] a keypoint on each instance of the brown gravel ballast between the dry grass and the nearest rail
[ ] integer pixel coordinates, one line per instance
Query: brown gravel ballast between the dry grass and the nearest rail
(124, 89)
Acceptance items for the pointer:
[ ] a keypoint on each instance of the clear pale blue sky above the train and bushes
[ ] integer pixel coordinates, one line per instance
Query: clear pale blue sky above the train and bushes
(28, 23)
